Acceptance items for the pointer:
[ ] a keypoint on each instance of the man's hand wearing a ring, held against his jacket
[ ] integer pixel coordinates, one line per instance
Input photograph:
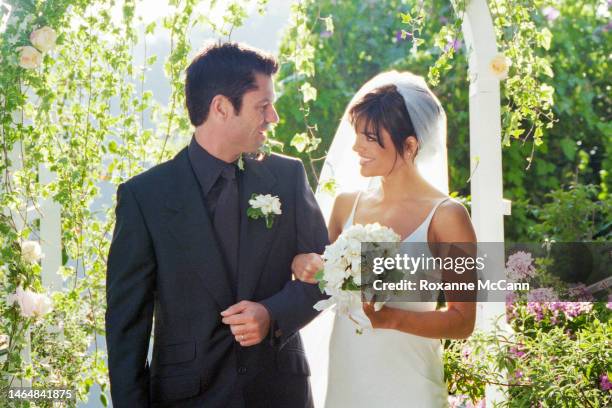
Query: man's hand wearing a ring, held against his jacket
(249, 322)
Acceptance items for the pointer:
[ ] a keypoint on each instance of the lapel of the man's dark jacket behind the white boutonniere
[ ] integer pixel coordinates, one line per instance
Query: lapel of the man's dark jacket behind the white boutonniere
(255, 237)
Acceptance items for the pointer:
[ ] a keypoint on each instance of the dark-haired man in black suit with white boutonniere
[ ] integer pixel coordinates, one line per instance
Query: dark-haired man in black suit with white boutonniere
(218, 283)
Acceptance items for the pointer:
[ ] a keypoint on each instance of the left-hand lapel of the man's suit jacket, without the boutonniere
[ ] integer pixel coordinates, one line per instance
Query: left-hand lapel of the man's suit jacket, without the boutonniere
(190, 224)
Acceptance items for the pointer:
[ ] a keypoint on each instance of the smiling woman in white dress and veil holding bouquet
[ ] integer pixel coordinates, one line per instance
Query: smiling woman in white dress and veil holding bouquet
(399, 128)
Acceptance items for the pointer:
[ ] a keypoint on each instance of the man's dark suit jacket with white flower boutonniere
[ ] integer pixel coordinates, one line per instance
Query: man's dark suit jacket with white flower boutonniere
(165, 266)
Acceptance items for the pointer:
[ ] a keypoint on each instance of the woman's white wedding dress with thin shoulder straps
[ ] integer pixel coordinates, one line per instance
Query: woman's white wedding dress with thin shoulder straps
(386, 368)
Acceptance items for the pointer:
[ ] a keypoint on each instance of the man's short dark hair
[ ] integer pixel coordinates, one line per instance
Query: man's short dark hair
(223, 69)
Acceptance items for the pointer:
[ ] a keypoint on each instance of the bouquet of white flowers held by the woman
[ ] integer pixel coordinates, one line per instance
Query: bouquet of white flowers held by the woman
(341, 276)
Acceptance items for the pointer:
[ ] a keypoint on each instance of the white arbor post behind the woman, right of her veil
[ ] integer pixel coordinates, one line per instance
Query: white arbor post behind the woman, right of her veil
(488, 205)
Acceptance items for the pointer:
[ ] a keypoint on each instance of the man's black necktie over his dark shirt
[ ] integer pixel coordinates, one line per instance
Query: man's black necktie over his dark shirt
(227, 220)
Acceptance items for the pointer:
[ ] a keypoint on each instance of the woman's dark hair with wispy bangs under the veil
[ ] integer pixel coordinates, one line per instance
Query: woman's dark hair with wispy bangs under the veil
(384, 108)
